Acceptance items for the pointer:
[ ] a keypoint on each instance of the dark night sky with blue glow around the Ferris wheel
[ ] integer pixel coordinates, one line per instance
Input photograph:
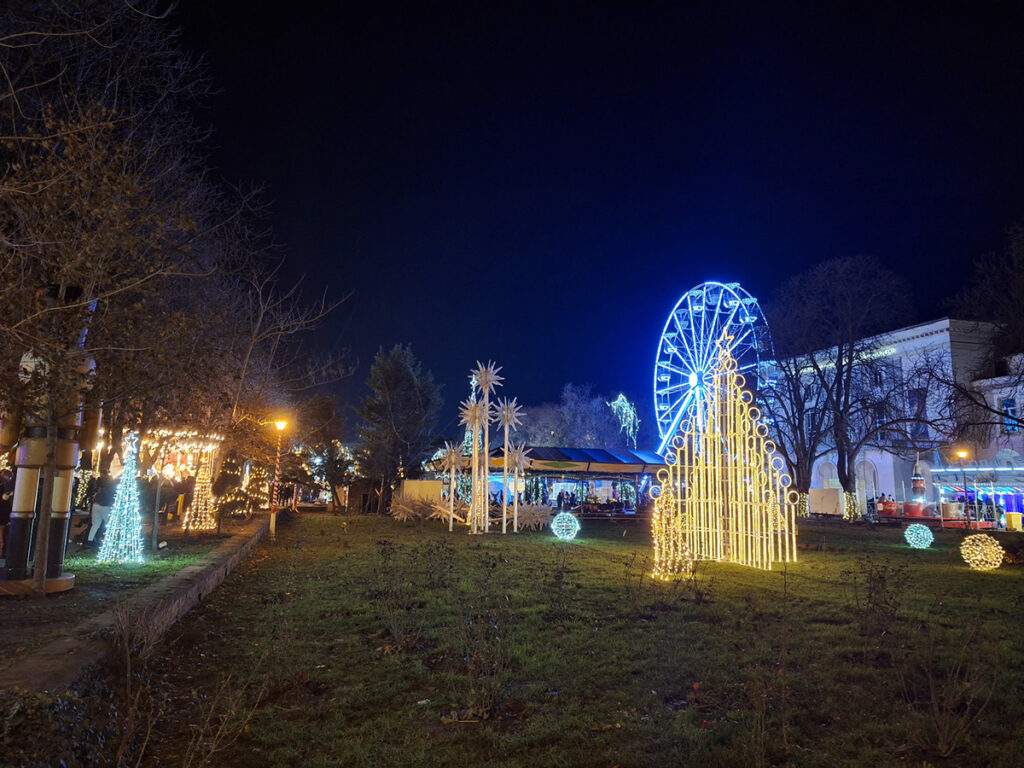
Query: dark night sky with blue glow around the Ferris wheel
(538, 184)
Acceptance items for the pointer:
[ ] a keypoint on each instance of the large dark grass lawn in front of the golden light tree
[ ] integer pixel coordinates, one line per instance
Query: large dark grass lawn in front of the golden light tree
(365, 643)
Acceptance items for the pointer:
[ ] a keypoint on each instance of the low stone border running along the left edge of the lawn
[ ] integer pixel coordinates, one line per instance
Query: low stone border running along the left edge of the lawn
(59, 664)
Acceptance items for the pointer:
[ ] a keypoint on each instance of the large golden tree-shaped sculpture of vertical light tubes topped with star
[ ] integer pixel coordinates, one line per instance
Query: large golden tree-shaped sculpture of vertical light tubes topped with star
(724, 496)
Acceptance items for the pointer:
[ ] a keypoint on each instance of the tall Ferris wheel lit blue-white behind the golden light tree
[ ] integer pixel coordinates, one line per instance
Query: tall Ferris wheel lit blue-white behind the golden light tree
(689, 348)
